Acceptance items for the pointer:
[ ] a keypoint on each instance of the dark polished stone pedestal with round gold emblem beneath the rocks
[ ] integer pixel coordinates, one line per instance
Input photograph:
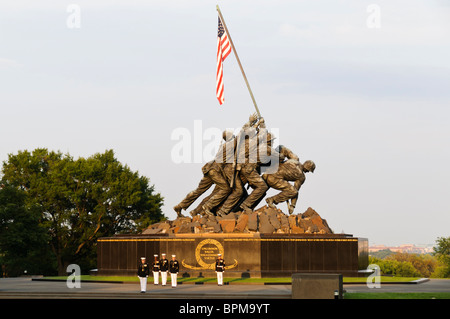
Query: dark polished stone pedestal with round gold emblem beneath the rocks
(246, 254)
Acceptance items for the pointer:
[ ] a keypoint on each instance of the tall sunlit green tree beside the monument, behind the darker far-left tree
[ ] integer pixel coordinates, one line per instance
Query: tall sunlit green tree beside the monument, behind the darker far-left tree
(82, 200)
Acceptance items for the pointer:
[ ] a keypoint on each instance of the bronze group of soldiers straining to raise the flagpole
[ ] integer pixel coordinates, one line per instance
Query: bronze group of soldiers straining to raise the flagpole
(248, 159)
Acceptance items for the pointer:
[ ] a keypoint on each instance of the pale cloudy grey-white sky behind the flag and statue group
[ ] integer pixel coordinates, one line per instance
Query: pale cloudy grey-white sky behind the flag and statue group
(362, 88)
